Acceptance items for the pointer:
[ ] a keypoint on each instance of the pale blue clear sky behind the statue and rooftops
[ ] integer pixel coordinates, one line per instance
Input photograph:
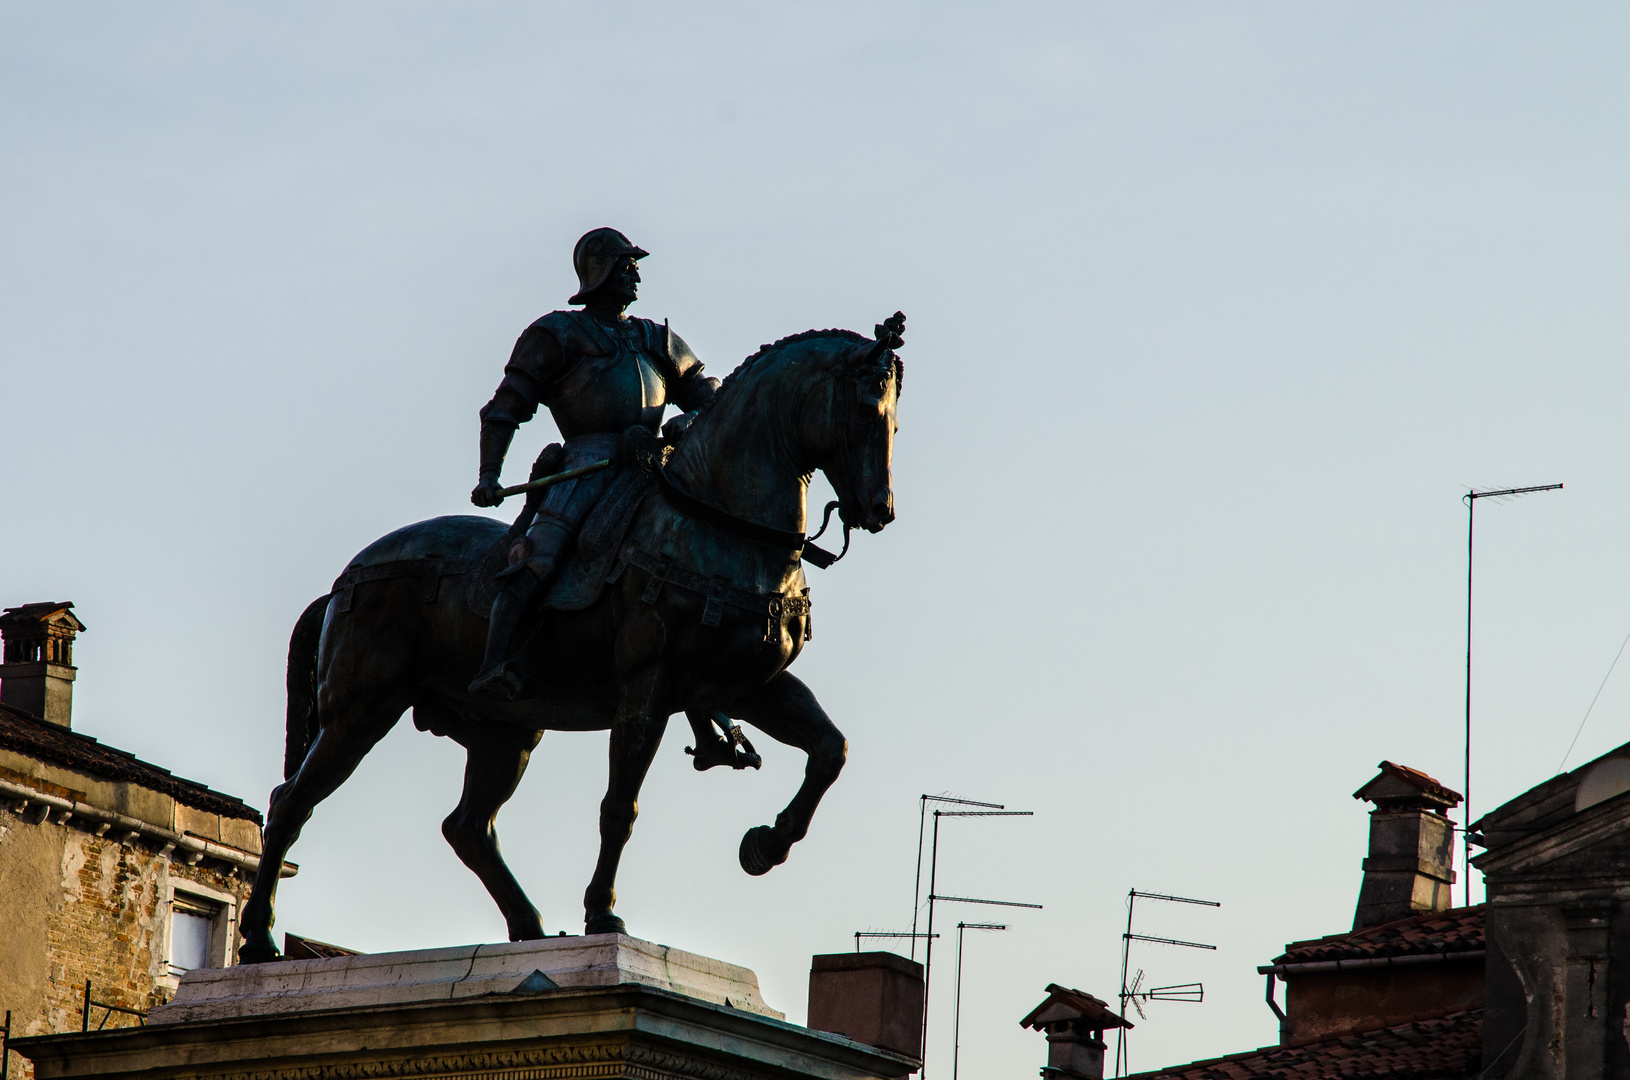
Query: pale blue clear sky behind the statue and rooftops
(1215, 310)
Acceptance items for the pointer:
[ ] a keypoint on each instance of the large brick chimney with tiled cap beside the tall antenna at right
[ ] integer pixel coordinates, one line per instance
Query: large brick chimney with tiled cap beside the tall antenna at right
(1411, 861)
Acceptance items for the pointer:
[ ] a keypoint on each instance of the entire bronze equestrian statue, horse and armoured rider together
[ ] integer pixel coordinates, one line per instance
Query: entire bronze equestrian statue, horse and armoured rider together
(672, 582)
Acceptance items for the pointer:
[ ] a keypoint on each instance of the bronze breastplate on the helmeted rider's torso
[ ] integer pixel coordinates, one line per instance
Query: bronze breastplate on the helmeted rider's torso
(612, 392)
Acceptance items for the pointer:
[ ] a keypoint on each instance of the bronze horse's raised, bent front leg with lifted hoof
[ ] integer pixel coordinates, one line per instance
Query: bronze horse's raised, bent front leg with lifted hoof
(788, 713)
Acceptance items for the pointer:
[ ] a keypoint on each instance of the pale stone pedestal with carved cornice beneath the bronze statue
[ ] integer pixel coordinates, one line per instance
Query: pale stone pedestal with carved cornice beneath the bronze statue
(568, 1009)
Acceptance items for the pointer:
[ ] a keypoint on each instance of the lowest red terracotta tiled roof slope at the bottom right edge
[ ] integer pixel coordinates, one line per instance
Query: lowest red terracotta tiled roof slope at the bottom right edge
(1443, 1047)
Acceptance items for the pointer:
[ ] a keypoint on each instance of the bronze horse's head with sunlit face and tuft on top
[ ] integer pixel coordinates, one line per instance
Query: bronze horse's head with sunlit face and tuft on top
(861, 436)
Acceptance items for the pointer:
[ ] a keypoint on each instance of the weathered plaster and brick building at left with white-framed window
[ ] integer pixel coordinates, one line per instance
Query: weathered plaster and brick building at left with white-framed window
(100, 856)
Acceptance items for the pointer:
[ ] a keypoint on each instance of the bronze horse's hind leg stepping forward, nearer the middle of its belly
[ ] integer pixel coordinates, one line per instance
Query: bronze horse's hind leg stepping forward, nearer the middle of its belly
(498, 758)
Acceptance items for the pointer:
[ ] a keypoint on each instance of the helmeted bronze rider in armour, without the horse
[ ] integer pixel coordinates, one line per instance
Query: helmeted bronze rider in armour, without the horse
(599, 372)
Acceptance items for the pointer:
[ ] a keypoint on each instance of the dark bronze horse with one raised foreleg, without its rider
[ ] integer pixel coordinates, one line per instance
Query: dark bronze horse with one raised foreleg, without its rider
(702, 612)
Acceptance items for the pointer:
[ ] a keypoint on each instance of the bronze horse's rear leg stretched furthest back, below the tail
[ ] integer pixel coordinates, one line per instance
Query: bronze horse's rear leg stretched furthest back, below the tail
(335, 755)
